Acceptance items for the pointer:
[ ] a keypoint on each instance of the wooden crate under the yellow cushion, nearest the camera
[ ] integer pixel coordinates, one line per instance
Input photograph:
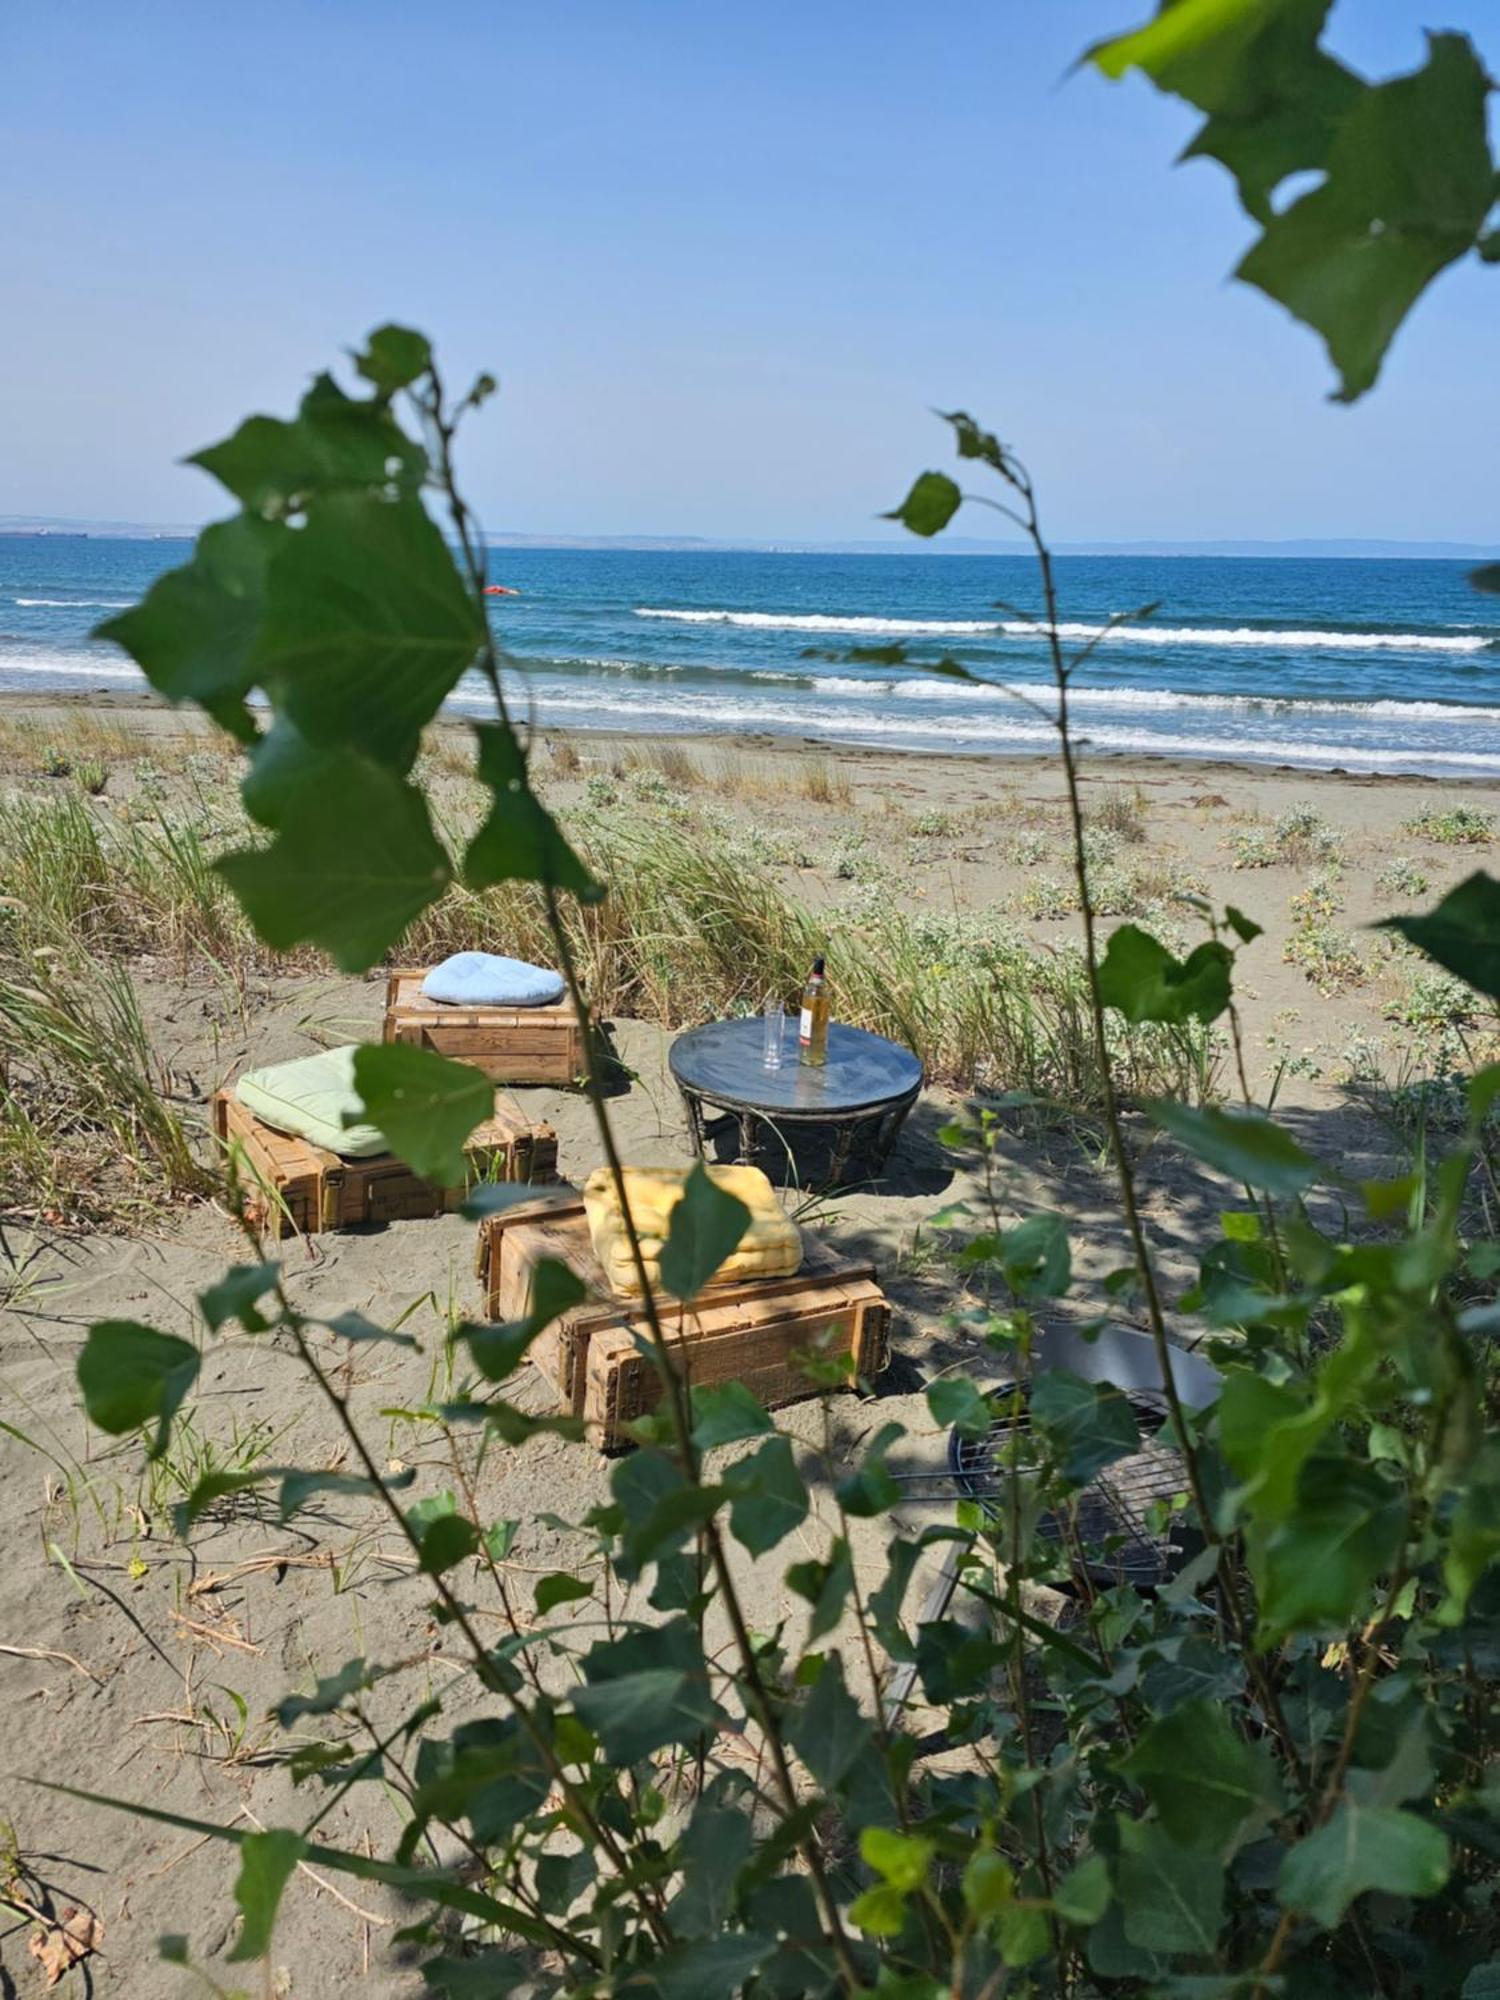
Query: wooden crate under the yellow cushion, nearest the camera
(735, 1333)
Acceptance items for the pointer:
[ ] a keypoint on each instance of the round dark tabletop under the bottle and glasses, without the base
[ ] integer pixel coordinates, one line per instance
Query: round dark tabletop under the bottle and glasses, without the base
(865, 1073)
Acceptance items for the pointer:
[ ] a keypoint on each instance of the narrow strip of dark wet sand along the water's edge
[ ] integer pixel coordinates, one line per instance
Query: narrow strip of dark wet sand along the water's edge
(1011, 765)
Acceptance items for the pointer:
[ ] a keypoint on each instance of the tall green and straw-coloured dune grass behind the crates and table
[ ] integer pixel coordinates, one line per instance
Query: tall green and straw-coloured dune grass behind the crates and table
(697, 925)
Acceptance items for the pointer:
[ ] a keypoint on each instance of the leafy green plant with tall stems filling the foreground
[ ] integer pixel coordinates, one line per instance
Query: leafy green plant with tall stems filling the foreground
(1267, 1771)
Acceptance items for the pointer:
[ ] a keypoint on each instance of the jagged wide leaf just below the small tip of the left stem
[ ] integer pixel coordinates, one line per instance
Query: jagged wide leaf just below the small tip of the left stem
(335, 445)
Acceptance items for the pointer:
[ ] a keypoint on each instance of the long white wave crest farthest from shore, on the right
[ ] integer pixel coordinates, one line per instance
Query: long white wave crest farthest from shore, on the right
(1079, 633)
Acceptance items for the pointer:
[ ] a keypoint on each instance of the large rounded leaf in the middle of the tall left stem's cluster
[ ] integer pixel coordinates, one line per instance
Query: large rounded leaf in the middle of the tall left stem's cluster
(367, 627)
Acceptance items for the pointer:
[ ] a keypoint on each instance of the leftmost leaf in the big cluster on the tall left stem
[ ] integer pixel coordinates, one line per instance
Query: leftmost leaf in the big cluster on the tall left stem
(197, 627)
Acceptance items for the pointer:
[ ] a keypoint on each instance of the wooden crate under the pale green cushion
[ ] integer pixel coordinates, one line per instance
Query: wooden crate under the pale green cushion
(299, 1189)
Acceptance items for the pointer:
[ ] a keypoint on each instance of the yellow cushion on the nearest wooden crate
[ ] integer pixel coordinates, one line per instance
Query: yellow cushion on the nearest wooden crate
(769, 1249)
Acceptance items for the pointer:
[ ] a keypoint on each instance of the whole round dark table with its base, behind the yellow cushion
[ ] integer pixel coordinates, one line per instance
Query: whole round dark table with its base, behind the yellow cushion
(867, 1087)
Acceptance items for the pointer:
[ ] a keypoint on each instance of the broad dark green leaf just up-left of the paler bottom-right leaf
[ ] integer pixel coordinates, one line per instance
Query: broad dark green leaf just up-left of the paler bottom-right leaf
(1207, 1783)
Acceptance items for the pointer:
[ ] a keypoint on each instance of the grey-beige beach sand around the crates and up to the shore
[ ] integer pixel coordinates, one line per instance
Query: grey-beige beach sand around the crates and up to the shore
(143, 1669)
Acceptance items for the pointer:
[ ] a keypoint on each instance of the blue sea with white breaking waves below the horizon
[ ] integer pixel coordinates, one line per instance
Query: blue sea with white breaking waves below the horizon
(1325, 663)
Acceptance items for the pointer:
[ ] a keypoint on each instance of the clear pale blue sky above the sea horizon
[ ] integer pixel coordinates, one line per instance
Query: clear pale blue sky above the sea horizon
(723, 259)
